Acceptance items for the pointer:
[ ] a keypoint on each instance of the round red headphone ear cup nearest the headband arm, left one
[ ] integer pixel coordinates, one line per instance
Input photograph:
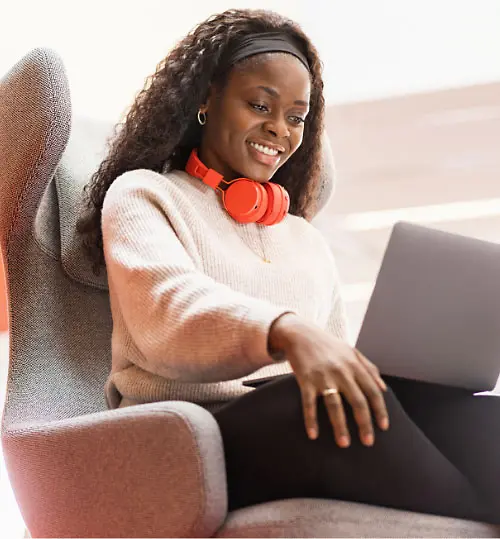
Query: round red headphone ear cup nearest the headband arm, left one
(246, 201)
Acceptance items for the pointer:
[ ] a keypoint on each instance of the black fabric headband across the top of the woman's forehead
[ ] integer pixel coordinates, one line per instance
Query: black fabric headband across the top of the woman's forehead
(264, 42)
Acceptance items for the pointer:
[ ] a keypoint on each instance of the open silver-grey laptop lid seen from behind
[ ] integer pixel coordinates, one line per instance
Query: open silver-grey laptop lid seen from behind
(434, 314)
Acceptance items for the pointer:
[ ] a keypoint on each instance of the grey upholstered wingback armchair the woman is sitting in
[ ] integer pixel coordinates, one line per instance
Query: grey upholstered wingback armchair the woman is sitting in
(78, 469)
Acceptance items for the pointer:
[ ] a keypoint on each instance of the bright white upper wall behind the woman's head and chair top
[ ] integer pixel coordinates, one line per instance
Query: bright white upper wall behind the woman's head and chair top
(371, 48)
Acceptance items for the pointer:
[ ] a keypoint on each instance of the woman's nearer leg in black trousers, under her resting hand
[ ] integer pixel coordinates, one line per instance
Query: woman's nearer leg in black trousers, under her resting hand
(269, 456)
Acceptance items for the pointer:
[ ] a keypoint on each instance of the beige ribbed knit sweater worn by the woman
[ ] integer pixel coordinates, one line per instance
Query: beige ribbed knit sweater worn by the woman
(192, 297)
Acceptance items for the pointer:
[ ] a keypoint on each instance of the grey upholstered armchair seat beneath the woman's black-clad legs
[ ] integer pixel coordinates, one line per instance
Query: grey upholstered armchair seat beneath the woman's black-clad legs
(333, 518)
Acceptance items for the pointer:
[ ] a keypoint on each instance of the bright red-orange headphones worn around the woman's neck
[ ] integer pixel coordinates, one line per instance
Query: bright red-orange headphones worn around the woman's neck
(246, 201)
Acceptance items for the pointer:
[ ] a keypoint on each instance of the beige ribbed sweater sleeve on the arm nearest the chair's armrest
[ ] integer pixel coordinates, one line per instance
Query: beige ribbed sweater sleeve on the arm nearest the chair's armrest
(187, 326)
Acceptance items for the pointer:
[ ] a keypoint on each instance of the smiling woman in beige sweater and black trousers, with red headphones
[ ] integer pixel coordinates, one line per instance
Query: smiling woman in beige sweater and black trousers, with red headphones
(214, 283)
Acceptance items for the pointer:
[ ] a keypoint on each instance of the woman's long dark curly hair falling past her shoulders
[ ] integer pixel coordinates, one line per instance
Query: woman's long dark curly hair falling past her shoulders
(161, 127)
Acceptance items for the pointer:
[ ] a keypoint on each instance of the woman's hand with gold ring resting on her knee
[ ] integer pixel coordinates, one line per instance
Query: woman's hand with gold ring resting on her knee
(320, 362)
